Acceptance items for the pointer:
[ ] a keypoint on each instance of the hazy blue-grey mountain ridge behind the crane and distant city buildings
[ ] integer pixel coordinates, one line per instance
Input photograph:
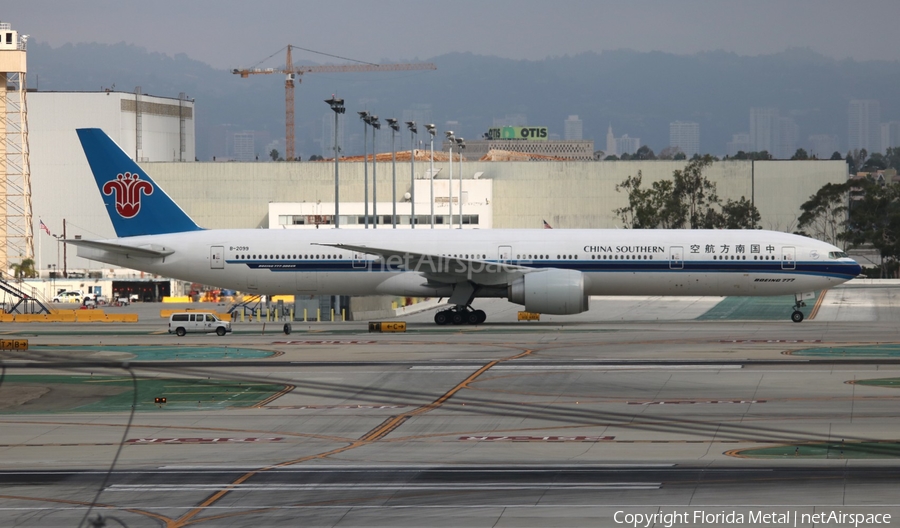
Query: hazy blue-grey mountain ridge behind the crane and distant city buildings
(639, 93)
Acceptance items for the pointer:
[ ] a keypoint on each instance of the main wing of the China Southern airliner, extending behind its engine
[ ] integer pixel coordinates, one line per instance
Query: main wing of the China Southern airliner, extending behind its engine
(437, 268)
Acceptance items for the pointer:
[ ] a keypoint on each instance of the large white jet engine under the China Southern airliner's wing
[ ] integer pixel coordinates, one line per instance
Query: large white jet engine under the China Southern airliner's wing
(553, 291)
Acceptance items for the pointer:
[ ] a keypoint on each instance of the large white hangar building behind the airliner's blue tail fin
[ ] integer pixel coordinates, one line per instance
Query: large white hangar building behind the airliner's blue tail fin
(148, 128)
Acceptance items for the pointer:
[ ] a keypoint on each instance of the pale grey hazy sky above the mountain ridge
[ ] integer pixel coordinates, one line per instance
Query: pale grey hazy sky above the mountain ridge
(231, 33)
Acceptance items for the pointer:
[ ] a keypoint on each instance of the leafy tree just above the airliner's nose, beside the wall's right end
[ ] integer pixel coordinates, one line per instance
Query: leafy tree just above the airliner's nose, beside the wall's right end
(824, 215)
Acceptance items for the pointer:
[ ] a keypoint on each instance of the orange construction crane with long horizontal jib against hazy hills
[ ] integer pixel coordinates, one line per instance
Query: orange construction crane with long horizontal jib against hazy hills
(291, 72)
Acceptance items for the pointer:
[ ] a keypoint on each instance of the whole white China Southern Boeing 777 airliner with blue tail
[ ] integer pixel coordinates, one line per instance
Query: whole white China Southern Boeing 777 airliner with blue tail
(551, 271)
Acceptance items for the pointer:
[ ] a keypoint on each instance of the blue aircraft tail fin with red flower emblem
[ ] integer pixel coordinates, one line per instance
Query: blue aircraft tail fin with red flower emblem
(135, 204)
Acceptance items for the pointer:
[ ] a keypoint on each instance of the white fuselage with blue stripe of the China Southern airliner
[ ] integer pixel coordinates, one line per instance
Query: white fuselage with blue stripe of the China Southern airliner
(613, 262)
